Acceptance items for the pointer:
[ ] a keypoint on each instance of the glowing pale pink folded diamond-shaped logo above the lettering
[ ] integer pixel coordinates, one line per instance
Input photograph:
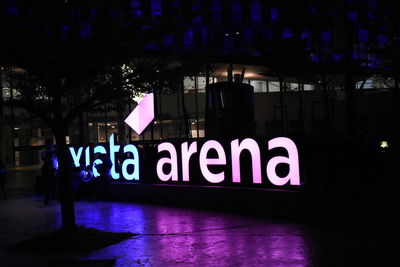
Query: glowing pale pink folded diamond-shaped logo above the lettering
(142, 115)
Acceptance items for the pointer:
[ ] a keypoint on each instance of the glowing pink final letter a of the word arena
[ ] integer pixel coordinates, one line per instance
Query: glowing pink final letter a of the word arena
(292, 160)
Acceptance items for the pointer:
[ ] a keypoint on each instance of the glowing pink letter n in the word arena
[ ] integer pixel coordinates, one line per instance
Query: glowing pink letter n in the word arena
(254, 150)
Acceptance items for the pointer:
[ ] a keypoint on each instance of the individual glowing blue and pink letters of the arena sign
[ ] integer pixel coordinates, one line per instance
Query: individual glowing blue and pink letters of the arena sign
(168, 168)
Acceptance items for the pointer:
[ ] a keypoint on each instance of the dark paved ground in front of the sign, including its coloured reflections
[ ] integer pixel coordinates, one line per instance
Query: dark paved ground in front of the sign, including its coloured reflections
(171, 236)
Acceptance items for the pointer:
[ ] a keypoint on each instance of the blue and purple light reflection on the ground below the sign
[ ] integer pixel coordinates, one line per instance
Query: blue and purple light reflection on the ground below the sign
(170, 236)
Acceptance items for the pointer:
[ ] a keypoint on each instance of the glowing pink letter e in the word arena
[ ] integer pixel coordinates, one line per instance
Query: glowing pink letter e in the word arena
(204, 161)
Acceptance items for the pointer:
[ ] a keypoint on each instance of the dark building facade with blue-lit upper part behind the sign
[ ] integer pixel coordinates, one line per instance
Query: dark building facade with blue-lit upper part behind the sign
(262, 40)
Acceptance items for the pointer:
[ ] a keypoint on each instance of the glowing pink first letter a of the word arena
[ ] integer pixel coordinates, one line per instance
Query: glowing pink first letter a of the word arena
(173, 161)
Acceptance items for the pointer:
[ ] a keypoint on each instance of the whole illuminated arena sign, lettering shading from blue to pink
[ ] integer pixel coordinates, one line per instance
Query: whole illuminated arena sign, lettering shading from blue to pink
(242, 161)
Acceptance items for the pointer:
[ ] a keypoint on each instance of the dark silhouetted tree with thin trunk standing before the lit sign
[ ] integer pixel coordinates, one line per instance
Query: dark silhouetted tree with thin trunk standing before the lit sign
(65, 57)
